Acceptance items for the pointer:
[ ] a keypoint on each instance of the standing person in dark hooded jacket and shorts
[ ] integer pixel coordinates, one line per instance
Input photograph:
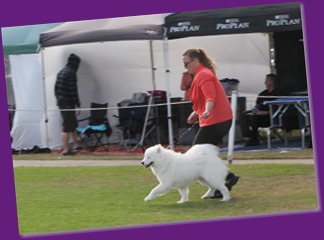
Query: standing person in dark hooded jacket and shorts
(67, 98)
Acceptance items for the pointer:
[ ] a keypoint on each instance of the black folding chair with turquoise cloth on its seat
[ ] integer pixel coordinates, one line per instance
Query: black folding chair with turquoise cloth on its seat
(98, 126)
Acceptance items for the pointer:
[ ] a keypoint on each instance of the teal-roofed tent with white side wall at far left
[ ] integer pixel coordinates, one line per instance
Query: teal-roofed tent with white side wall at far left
(24, 75)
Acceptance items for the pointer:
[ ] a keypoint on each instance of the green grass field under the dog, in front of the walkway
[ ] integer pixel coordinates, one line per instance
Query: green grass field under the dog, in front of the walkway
(56, 199)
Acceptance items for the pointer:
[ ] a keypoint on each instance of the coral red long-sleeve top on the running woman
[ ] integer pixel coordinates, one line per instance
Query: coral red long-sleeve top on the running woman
(206, 87)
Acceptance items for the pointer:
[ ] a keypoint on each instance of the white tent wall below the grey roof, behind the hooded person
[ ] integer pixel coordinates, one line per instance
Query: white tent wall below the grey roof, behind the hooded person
(109, 72)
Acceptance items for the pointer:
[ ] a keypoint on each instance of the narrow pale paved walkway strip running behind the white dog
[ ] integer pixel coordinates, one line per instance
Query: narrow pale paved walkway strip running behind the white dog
(74, 163)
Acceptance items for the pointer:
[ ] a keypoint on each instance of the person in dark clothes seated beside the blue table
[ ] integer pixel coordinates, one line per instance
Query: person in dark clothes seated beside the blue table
(259, 116)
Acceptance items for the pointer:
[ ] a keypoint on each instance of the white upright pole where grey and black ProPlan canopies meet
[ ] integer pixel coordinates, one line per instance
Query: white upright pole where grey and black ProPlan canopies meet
(167, 78)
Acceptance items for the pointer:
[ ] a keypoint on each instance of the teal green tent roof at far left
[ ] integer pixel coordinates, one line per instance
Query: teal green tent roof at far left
(23, 39)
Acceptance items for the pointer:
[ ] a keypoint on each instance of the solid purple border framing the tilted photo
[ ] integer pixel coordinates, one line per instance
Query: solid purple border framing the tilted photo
(293, 226)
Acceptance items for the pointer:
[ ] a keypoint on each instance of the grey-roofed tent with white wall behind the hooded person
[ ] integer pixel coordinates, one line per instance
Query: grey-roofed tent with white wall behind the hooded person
(116, 62)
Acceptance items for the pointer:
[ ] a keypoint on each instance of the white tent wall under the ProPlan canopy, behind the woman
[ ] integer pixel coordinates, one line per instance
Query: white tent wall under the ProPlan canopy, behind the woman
(245, 57)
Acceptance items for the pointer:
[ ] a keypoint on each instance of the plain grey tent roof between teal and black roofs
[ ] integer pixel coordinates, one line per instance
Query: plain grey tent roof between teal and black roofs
(125, 28)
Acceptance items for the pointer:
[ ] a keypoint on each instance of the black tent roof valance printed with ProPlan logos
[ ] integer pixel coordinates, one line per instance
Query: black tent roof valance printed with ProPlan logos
(263, 18)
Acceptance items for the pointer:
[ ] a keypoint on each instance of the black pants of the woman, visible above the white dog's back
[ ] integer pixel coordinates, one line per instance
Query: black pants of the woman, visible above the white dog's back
(212, 134)
